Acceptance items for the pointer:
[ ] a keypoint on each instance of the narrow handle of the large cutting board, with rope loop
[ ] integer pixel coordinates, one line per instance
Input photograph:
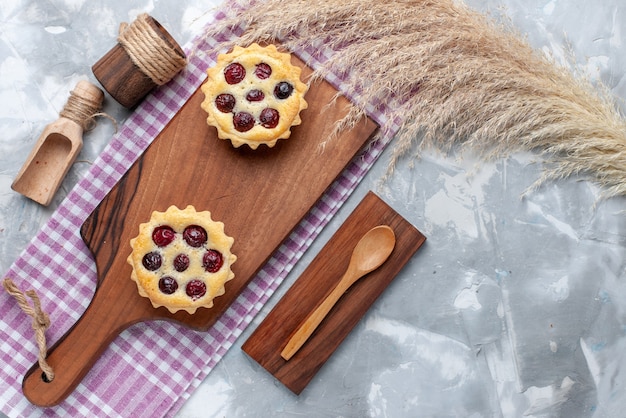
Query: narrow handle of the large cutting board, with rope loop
(75, 354)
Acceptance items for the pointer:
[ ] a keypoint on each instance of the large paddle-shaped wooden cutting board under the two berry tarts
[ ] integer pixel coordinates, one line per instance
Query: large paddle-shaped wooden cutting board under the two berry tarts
(259, 195)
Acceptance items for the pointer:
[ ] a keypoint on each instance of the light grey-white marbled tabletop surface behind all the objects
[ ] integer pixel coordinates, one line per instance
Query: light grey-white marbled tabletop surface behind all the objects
(513, 307)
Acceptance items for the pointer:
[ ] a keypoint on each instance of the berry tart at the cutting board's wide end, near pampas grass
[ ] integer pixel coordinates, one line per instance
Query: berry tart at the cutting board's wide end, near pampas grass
(263, 130)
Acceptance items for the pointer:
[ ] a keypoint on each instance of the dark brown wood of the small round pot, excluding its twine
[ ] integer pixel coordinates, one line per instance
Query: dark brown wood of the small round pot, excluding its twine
(122, 78)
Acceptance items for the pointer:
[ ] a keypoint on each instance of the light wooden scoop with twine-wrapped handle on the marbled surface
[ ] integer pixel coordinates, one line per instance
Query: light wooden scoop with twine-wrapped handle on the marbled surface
(57, 147)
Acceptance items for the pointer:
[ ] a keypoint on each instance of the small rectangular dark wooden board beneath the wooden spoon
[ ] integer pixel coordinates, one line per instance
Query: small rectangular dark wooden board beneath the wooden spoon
(316, 282)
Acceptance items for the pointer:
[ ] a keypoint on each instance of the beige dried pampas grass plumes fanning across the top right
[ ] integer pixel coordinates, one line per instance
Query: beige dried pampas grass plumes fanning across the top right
(453, 76)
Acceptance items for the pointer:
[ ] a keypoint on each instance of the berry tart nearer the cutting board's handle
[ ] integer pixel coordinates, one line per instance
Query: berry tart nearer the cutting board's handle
(171, 281)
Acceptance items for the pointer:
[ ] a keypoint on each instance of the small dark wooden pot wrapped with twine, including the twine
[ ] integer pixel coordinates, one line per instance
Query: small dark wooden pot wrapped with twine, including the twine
(146, 56)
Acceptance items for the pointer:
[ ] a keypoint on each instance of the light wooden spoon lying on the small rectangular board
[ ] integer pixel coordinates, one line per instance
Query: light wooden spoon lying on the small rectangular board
(370, 253)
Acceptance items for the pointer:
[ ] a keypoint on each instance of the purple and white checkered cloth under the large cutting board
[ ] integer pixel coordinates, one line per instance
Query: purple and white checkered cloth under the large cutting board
(140, 373)
